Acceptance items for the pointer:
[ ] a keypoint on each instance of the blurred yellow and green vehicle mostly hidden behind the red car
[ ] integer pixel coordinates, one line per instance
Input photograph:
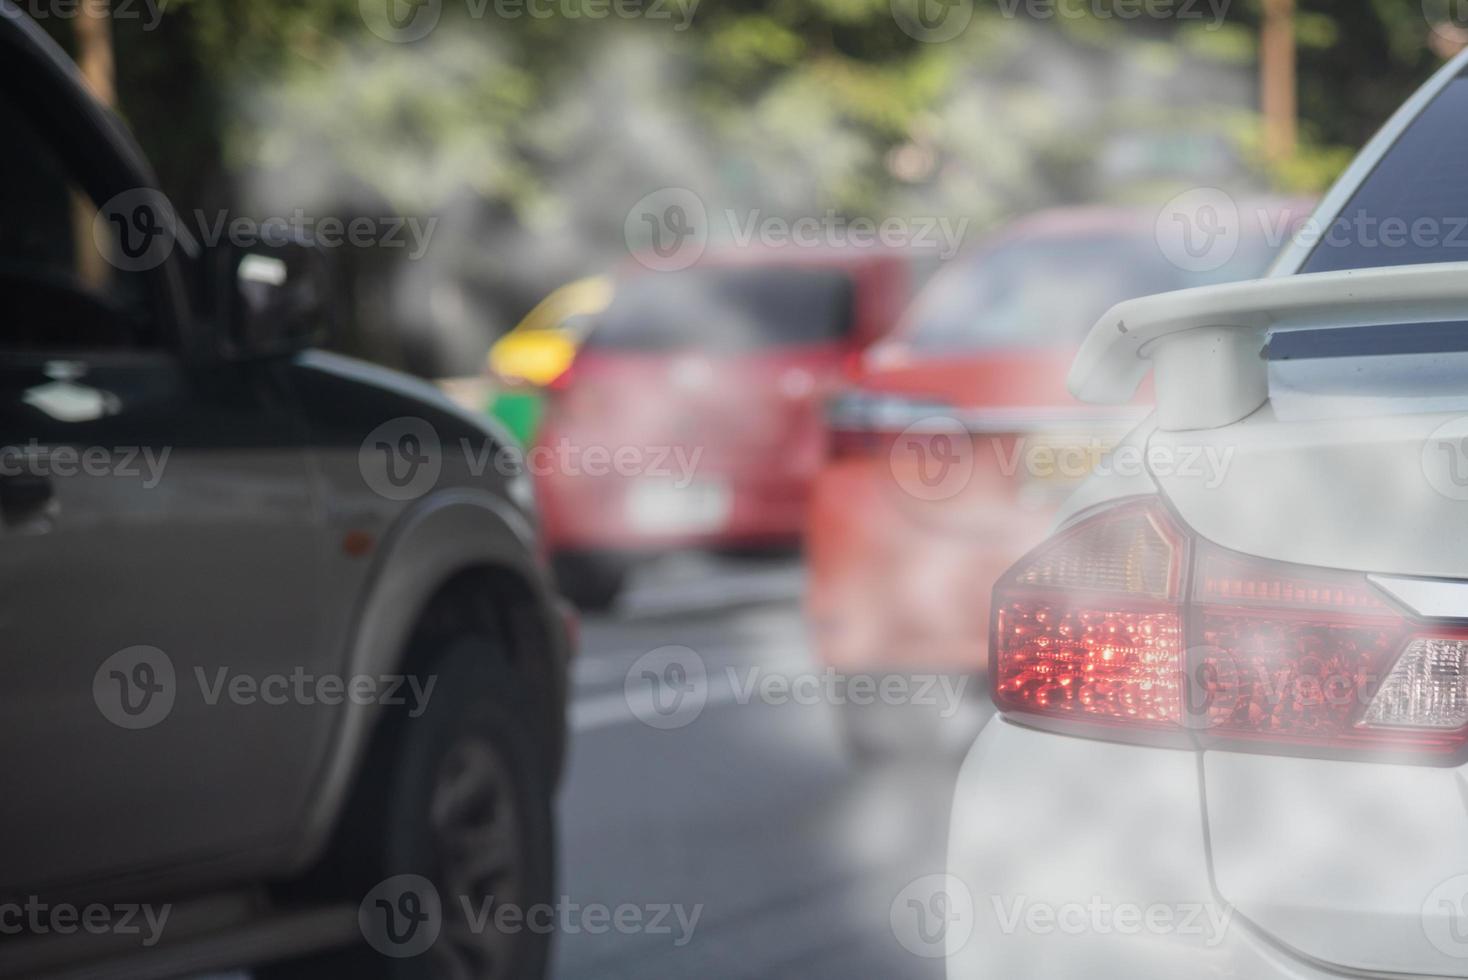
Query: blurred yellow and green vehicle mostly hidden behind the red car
(541, 348)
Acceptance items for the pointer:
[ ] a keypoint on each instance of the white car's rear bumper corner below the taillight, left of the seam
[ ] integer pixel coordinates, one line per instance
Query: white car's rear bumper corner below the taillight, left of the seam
(1044, 824)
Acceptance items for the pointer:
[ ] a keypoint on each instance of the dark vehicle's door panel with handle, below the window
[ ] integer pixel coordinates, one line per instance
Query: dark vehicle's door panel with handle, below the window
(158, 544)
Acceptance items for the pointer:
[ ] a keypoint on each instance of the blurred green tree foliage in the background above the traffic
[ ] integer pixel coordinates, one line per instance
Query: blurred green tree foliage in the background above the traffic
(554, 125)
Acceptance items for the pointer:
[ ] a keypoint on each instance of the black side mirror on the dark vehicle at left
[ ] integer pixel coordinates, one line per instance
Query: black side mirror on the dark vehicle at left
(269, 297)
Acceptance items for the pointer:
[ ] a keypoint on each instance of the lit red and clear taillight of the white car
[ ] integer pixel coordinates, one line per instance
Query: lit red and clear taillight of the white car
(1125, 624)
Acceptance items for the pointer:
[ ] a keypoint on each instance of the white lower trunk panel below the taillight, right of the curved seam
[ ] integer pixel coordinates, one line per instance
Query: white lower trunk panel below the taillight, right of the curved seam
(1340, 859)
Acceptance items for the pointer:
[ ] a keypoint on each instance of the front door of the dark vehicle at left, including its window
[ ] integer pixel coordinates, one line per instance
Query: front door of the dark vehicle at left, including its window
(159, 536)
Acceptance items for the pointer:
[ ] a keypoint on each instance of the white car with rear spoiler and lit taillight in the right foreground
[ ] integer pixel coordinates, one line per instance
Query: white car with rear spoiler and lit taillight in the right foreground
(1232, 689)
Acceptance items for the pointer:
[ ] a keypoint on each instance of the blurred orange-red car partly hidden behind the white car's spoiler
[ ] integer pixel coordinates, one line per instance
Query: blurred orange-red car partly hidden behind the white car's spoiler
(959, 441)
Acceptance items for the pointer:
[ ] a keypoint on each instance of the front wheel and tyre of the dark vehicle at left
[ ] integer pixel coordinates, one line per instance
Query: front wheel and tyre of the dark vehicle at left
(466, 827)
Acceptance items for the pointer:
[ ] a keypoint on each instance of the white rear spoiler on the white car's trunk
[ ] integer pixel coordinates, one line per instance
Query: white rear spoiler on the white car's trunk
(1204, 344)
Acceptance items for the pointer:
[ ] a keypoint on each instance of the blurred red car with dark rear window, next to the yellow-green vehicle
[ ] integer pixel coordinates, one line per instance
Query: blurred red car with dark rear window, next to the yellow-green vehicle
(692, 417)
